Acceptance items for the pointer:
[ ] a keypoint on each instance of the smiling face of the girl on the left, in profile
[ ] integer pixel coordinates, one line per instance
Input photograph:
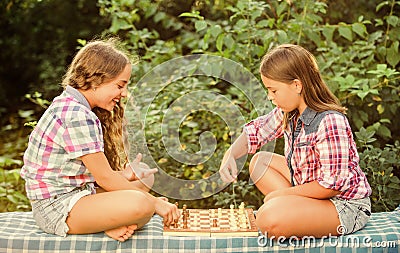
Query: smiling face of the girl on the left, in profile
(108, 94)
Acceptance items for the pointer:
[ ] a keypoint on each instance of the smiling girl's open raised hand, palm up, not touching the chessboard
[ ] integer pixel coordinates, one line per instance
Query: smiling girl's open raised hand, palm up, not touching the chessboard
(137, 170)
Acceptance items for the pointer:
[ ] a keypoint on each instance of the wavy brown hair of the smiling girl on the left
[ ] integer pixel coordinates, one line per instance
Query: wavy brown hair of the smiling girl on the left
(97, 62)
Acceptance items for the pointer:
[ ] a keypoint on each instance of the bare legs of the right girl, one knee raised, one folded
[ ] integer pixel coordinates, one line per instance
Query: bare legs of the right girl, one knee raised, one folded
(289, 215)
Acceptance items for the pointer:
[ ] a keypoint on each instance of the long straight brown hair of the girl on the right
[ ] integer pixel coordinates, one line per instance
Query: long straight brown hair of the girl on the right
(288, 62)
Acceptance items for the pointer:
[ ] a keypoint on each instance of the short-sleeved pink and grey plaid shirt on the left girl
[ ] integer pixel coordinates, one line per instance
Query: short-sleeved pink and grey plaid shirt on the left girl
(67, 130)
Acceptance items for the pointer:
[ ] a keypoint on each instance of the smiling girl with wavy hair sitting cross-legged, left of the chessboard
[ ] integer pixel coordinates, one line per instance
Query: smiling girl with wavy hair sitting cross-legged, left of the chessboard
(77, 173)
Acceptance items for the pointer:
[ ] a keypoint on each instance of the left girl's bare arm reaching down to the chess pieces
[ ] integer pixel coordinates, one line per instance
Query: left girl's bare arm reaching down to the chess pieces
(110, 180)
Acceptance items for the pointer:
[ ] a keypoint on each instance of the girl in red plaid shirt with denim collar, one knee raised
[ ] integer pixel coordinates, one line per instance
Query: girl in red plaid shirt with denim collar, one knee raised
(317, 188)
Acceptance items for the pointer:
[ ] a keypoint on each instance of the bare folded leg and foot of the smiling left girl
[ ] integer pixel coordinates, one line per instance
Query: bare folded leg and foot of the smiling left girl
(117, 213)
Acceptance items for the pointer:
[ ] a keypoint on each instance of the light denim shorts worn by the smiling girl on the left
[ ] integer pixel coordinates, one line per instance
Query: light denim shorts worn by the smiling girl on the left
(51, 214)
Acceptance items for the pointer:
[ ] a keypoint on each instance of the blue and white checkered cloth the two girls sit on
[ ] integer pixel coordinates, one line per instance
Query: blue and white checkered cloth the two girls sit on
(19, 233)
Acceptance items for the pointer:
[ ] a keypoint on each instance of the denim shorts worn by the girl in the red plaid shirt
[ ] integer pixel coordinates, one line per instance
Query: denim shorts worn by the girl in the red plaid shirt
(353, 214)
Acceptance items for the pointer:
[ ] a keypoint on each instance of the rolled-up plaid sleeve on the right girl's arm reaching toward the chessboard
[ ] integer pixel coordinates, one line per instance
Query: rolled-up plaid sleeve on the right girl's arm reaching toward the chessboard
(264, 129)
